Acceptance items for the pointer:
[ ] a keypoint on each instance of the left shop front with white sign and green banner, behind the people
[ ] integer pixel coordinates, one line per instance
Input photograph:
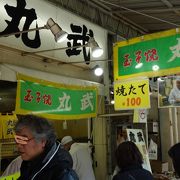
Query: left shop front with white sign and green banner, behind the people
(61, 72)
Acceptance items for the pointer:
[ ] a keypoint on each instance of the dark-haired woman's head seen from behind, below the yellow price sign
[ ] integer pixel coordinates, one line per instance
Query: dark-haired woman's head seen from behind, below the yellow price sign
(128, 154)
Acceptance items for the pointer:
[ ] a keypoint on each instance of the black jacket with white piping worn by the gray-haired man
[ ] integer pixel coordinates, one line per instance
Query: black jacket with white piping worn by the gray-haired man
(54, 164)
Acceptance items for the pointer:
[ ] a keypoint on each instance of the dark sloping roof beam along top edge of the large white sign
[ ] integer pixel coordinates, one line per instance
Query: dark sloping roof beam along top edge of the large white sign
(101, 14)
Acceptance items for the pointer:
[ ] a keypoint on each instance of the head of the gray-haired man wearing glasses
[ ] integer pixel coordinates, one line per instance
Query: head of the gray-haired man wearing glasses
(33, 135)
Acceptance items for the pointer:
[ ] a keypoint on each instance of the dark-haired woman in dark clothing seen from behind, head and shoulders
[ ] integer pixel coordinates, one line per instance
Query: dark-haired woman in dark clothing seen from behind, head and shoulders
(129, 161)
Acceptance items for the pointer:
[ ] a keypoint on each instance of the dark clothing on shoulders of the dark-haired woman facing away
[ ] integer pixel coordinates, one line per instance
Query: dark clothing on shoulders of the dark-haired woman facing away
(134, 172)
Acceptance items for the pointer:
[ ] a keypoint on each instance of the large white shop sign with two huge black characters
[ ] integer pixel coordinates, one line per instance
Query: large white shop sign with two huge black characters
(78, 29)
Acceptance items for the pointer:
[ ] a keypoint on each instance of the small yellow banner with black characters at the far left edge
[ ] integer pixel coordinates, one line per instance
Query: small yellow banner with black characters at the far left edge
(8, 122)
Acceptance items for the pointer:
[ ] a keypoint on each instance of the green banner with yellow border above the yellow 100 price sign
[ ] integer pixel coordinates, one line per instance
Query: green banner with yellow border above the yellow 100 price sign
(153, 55)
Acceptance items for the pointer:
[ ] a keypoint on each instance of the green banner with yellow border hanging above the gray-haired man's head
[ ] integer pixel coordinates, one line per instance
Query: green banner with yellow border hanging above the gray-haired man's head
(55, 100)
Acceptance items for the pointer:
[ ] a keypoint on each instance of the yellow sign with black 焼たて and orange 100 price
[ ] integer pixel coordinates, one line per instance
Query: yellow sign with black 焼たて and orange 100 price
(132, 94)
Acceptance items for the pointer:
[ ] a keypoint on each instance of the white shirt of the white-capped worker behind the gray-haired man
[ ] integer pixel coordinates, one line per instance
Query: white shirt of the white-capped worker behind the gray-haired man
(82, 162)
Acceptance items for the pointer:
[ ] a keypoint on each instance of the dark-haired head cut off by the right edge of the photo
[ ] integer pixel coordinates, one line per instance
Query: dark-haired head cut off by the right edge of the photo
(174, 153)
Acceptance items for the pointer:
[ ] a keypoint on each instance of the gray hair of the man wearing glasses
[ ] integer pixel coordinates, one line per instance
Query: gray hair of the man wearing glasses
(40, 128)
